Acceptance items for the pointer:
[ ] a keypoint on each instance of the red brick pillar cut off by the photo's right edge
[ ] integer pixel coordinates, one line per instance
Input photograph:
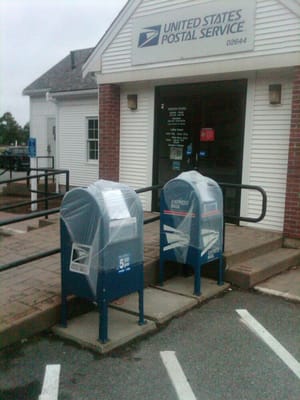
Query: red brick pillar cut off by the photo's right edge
(292, 205)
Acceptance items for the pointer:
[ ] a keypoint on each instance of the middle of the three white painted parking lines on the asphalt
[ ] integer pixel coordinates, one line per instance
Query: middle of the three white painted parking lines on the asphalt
(177, 376)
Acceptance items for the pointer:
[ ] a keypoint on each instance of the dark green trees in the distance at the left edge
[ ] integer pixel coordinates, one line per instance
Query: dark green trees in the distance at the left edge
(11, 131)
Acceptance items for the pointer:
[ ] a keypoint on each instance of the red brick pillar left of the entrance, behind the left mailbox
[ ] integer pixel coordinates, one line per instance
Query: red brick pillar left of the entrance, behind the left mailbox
(109, 133)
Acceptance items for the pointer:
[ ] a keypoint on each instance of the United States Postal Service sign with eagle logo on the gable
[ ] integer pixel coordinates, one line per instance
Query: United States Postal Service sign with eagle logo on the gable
(213, 28)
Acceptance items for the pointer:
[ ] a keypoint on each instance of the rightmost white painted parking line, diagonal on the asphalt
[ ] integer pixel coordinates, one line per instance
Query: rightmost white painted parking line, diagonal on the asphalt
(273, 343)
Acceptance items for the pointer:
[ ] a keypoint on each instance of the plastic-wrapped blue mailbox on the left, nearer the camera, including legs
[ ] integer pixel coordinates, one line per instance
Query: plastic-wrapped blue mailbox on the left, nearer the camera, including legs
(102, 247)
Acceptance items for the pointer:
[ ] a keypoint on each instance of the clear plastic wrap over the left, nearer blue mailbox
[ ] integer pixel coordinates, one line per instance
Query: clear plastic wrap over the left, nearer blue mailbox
(101, 220)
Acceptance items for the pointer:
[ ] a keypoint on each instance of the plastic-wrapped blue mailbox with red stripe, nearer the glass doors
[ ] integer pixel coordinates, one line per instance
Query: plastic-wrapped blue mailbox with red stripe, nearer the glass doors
(191, 224)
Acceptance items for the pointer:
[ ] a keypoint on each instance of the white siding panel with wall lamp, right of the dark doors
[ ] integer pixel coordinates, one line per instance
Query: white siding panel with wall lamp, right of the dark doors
(268, 149)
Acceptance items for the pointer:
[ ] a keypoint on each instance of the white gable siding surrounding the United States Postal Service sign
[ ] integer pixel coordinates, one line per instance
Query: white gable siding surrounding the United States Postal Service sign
(277, 30)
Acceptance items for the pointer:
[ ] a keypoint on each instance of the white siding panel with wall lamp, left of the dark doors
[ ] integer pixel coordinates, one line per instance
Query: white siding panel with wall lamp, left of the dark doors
(136, 141)
